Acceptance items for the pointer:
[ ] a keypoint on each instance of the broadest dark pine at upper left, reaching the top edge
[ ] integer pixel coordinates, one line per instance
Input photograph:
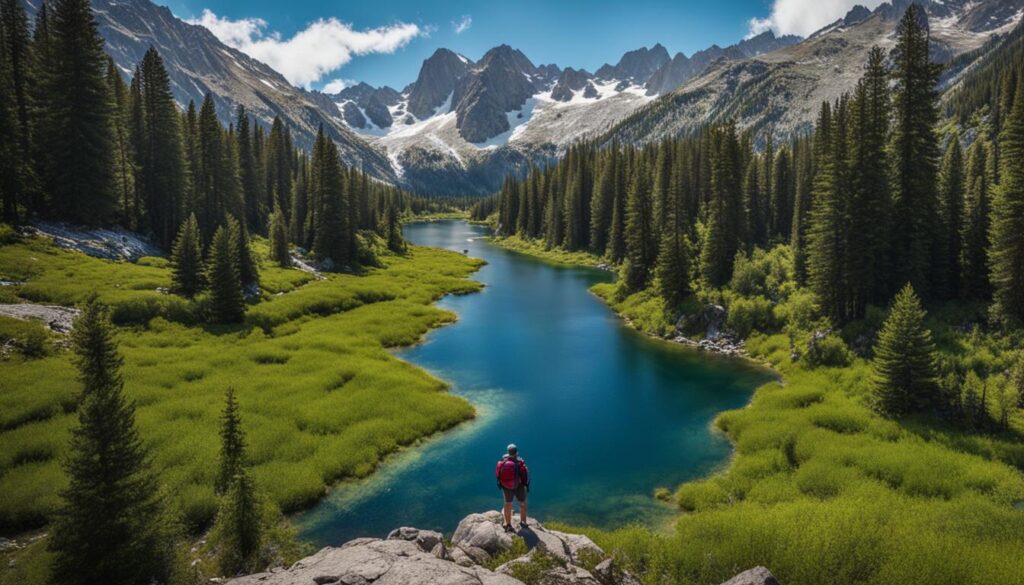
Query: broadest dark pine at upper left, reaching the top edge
(77, 123)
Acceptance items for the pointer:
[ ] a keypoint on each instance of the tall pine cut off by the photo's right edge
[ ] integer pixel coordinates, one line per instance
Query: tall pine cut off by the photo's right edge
(1006, 258)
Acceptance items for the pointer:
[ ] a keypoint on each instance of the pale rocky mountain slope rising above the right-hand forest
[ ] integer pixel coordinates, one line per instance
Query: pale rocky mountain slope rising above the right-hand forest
(779, 93)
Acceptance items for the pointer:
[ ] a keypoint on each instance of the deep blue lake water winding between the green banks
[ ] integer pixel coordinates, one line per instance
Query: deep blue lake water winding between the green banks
(602, 414)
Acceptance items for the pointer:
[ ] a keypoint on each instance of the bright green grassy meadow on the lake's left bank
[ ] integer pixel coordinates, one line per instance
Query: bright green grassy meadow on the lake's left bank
(322, 398)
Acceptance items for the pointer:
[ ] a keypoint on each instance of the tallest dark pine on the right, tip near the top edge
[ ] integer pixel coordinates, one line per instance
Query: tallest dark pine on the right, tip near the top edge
(915, 151)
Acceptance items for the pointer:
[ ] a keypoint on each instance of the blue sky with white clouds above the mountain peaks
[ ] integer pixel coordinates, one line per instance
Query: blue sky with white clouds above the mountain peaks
(314, 43)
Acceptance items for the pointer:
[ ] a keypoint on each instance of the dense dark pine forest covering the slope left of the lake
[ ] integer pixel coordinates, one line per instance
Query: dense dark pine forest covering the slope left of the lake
(79, 144)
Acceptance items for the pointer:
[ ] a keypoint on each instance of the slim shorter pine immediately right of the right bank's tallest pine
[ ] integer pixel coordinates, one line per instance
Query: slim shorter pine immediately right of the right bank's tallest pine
(952, 195)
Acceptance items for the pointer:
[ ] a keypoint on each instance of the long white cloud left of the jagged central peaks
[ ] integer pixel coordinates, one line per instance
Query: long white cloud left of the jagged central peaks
(324, 47)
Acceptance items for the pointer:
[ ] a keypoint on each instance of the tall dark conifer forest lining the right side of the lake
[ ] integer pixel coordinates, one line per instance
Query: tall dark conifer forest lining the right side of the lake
(870, 201)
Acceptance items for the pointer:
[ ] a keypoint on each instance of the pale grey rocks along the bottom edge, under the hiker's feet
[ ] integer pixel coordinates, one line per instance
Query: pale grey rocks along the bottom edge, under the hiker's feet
(481, 554)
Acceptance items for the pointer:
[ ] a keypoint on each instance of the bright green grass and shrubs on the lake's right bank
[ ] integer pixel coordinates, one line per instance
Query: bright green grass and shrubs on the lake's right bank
(824, 490)
